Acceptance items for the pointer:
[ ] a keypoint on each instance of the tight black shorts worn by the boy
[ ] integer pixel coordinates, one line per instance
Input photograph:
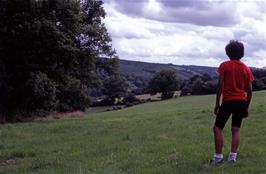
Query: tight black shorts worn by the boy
(235, 107)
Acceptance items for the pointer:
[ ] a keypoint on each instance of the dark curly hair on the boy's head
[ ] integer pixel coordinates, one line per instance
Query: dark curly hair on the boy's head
(234, 50)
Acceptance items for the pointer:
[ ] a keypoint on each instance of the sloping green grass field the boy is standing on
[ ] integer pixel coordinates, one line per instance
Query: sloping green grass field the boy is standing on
(172, 136)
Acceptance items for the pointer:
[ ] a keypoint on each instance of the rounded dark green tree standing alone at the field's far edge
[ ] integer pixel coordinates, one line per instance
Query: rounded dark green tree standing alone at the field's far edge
(165, 82)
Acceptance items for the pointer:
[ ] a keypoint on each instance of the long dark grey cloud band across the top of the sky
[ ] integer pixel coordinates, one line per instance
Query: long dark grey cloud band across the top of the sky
(195, 12)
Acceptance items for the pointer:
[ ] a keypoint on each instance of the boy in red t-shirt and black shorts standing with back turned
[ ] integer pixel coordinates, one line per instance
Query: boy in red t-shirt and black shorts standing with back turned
(234, 80)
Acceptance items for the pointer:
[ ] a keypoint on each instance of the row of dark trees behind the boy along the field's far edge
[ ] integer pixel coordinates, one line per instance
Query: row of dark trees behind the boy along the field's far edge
(167, 82)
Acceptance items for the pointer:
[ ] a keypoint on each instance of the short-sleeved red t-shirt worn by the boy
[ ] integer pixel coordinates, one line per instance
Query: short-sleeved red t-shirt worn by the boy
(235, 76)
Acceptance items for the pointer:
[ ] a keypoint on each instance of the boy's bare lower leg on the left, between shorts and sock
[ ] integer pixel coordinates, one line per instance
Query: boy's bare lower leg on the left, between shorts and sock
(218, 139)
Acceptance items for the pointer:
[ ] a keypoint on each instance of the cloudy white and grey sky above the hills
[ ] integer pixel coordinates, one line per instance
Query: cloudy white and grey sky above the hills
(186, 32)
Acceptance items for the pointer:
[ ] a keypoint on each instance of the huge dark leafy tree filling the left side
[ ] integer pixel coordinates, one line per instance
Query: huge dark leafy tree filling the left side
(49, 54)
